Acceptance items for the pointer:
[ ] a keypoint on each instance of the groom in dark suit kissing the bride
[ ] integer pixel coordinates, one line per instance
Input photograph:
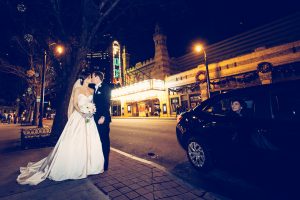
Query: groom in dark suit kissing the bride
(102, 117)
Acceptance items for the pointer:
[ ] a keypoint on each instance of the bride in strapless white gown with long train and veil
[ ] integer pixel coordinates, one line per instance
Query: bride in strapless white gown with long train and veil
(78, 152)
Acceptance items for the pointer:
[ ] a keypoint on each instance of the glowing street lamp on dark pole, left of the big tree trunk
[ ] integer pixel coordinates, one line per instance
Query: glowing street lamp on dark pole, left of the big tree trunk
(59, 50)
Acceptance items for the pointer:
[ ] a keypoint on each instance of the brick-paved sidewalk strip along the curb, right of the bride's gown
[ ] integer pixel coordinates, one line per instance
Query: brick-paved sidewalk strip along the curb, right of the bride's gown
(131, 179)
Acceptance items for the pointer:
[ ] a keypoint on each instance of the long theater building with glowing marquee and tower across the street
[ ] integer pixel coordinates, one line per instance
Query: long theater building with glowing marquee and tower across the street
(265, 55)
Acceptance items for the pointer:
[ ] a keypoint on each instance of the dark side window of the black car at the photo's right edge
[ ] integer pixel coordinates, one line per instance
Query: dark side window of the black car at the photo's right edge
(287, 106)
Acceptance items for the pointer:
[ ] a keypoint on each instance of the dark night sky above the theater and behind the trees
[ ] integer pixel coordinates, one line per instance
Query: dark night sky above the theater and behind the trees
(183, 22)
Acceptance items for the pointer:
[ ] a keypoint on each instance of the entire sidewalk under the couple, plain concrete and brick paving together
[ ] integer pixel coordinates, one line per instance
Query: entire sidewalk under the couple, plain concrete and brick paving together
(128, 177)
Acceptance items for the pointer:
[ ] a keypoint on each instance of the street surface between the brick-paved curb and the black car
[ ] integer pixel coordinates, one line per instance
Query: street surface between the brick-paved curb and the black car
(142, 137)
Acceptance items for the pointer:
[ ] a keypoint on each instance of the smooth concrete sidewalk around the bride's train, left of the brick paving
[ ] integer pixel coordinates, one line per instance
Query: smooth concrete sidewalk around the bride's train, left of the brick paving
(11, 190)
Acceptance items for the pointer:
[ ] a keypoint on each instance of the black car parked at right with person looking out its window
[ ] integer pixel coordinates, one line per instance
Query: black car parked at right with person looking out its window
(266, 128)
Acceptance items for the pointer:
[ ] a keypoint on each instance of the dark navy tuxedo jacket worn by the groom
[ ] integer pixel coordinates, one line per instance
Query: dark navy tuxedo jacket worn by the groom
(101, 99)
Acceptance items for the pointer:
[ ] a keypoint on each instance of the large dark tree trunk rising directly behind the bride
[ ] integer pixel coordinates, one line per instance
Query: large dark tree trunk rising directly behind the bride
(91, 16)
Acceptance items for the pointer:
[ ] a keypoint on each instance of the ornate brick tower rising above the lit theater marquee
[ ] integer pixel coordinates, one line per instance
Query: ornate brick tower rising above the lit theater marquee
(161, 58)
